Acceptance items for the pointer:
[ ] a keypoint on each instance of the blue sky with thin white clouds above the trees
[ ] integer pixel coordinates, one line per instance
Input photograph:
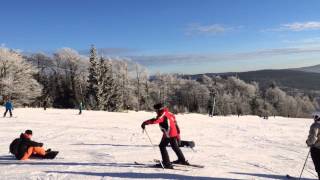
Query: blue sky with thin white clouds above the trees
(185, 36)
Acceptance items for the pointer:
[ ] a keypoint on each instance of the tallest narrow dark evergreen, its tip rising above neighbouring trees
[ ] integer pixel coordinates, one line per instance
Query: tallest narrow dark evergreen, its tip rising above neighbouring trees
(92, 89)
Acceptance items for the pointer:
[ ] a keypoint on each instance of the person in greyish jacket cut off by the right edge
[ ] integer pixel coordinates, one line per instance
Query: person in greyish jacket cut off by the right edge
(313, 142)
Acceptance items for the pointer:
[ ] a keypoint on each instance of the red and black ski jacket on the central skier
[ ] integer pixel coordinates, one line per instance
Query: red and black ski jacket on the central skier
(167, 123)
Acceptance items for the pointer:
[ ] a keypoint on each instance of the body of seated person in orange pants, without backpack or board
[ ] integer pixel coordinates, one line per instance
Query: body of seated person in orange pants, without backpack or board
(28, 148)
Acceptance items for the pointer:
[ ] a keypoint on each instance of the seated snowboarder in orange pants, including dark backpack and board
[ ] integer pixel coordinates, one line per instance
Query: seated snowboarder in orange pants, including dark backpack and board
(23, 148)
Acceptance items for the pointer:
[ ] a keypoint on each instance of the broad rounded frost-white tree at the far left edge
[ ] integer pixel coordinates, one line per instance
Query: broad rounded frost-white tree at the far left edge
(17, 78)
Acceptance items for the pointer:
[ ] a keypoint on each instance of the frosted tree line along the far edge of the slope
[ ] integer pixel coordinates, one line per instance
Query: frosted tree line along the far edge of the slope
(66, 78)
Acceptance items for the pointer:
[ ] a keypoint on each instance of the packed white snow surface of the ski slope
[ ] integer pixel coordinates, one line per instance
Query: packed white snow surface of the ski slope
(105, 145)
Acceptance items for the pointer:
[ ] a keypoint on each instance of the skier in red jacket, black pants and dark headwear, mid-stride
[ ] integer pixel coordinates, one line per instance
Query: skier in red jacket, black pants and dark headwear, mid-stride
(166, 121)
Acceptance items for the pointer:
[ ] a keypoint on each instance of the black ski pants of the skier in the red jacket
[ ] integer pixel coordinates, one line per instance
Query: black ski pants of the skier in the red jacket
(174, 145)
